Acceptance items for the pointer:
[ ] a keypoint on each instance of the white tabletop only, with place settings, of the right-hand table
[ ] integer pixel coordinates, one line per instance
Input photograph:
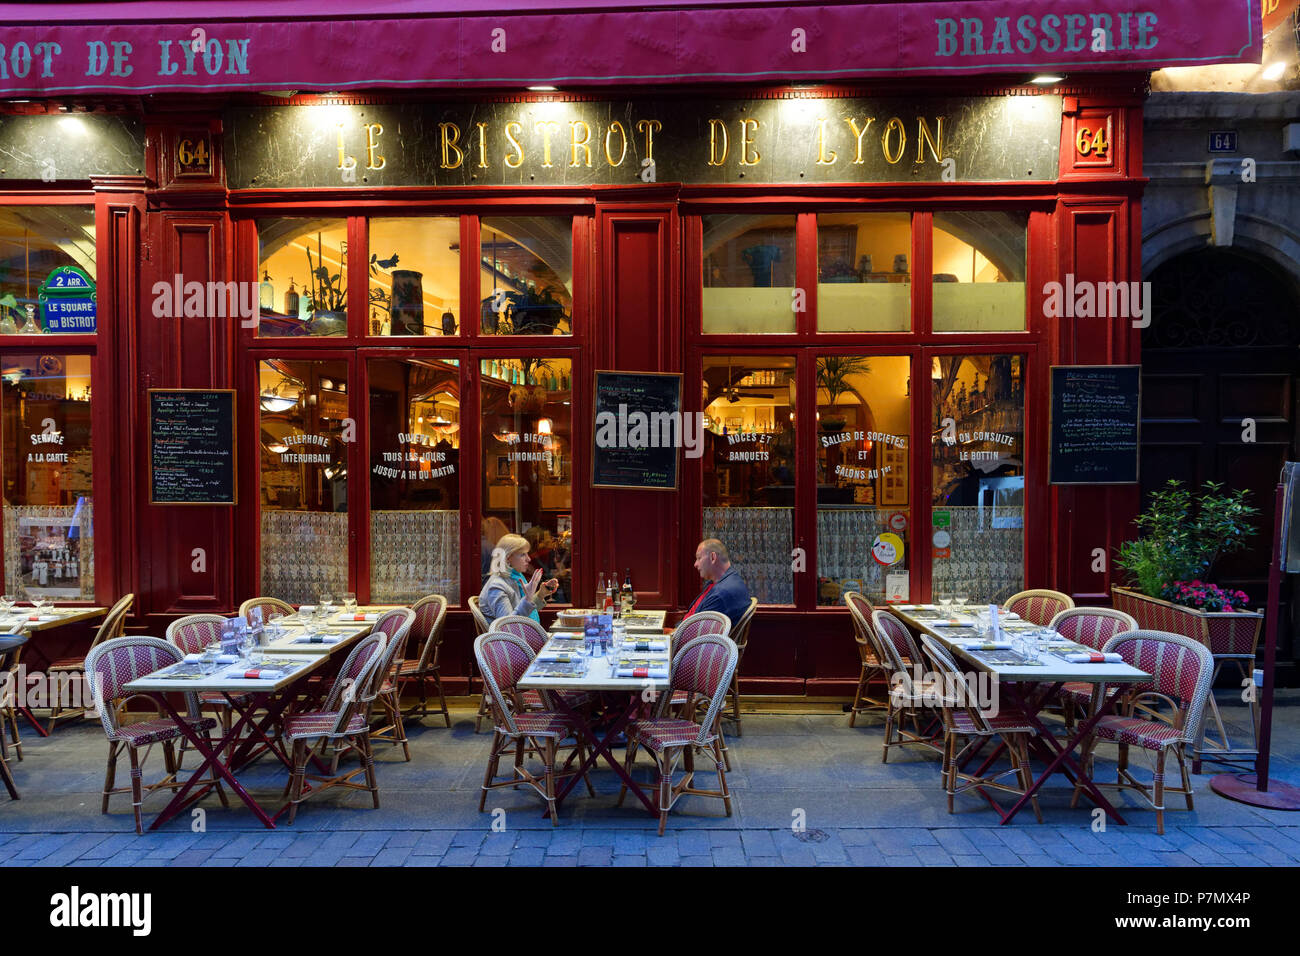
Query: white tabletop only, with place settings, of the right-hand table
(967, 643)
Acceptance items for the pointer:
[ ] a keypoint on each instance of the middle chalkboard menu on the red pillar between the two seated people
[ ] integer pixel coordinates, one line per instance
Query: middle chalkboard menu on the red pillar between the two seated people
(632, 447)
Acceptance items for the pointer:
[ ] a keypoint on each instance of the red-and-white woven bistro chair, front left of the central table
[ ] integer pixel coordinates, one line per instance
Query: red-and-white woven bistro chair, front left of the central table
(502, 660)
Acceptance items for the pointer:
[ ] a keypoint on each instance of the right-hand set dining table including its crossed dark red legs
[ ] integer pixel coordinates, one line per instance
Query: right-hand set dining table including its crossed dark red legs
(1030, 687)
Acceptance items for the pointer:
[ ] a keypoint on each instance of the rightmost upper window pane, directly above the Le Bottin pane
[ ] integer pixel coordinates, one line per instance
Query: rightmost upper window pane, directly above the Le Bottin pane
(980, 271)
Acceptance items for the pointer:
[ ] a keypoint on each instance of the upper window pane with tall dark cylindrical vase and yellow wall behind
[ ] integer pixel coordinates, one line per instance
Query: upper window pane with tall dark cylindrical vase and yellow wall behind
(415, 276)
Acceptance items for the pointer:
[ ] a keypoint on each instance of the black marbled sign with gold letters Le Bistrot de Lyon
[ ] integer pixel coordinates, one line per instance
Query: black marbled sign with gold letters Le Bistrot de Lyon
(694, 141)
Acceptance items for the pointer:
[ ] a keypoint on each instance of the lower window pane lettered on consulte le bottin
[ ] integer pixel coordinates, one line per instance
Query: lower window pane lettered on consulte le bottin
(978, 478)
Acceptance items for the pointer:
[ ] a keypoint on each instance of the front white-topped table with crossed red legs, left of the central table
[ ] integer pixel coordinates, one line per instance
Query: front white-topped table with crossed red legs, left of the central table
(246, 697)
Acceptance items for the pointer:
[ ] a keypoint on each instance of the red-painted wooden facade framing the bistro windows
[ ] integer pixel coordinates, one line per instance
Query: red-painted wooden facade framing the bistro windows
(638, 306)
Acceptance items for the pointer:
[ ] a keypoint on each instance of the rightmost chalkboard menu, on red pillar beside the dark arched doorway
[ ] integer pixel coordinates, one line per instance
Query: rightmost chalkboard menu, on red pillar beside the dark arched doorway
(1095, 425)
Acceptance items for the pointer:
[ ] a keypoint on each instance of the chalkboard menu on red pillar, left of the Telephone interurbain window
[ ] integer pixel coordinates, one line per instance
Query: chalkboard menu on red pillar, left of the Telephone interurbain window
(192, 447)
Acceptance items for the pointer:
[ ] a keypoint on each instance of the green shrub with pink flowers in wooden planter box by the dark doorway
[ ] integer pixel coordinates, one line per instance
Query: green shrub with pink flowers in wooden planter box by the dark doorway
(1184, 535)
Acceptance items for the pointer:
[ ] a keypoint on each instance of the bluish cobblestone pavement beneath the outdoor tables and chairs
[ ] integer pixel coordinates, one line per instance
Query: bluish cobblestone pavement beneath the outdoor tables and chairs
(808, 791)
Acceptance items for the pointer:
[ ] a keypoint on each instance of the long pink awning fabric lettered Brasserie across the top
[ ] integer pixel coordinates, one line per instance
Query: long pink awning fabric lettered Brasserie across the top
(332, 45)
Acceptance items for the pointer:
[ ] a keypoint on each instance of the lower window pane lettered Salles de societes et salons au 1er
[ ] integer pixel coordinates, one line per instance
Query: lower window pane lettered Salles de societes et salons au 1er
(864, 442)
